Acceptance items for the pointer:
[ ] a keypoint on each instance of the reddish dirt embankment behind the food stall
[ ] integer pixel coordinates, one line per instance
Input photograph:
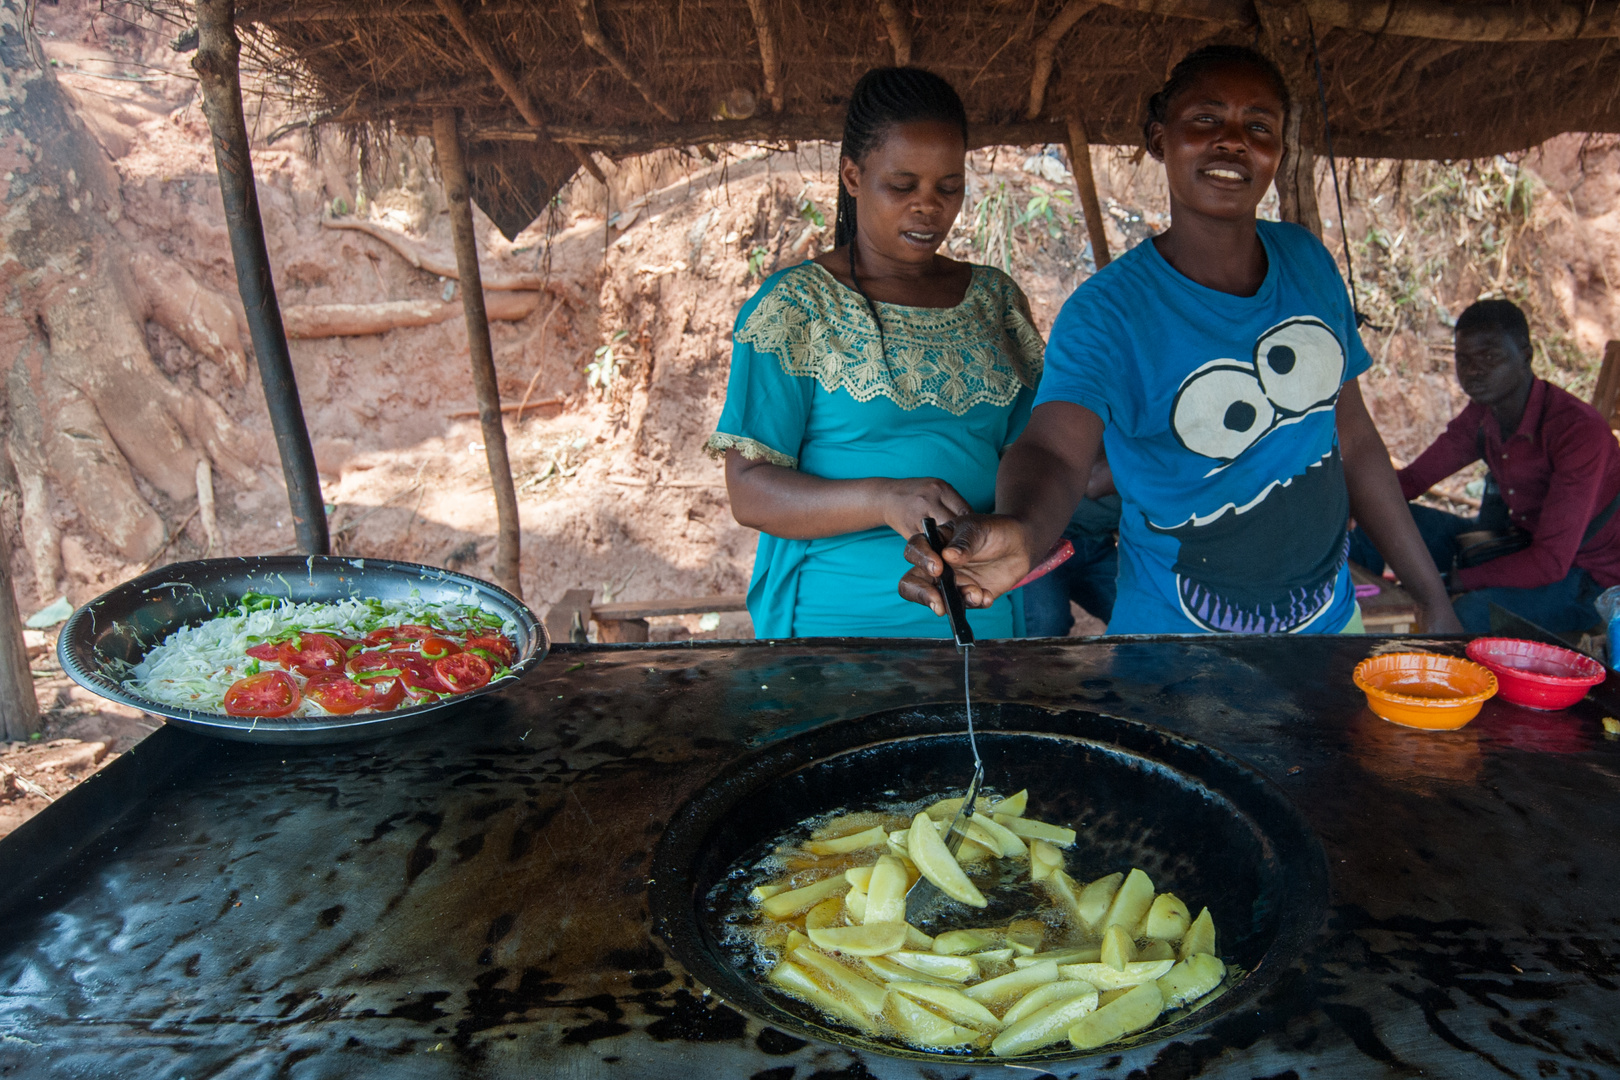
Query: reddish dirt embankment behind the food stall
(625, 351)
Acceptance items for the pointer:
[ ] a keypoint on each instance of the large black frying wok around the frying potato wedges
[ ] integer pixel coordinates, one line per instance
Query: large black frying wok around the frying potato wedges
(1201, 823)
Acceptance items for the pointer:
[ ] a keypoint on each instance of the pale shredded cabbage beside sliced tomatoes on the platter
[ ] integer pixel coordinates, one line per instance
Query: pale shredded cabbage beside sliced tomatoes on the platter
(195, 666)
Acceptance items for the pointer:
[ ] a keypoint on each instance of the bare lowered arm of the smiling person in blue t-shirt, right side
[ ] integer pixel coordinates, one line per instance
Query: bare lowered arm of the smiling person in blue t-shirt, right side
(1381, 509)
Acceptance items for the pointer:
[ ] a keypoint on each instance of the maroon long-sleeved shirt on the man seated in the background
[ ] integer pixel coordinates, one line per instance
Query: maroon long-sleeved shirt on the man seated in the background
(1558, 472)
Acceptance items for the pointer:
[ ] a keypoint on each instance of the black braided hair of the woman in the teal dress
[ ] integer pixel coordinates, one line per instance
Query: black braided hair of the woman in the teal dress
(882, 100)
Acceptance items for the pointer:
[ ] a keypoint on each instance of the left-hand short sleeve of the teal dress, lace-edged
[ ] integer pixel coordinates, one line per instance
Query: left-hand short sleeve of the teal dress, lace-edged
(767, 409)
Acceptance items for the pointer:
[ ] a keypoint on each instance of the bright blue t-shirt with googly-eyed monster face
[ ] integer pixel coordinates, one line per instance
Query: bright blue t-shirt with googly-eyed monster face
(1222, 436)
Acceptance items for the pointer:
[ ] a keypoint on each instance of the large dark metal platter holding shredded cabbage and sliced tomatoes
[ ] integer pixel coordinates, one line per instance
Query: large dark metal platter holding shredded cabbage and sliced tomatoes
(121, 626)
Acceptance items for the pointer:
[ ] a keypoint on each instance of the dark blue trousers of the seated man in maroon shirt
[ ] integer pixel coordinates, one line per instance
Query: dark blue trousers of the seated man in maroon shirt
(1562, 606)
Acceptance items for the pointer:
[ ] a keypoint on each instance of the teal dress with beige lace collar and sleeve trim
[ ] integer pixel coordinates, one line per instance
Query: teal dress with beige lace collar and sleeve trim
(812, 389)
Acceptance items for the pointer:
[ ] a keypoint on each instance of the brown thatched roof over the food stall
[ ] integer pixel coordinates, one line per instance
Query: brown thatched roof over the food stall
(542, 80)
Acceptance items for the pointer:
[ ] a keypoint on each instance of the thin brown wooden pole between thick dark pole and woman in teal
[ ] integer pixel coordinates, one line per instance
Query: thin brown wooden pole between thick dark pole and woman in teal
(453, 166)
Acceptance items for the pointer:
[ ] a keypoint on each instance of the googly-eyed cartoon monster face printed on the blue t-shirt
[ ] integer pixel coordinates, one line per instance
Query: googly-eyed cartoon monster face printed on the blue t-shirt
(1266, 564)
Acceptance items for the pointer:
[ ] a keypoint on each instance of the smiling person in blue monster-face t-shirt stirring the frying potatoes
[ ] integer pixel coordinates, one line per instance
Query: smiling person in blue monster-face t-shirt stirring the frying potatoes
(1217, 364)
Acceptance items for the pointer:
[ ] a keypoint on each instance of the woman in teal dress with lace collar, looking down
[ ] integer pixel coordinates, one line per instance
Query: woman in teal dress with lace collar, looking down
(876, 386)
